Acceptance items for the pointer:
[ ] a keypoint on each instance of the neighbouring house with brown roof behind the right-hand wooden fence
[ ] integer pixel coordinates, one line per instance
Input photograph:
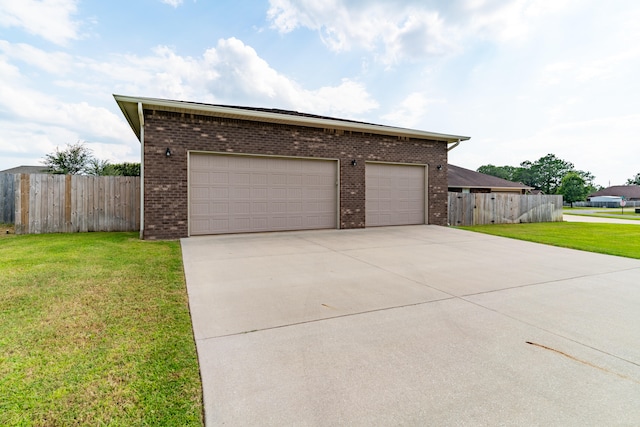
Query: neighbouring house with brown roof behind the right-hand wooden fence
(463, 180)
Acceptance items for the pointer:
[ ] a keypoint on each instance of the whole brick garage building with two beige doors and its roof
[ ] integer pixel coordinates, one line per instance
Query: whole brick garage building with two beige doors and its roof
(213, 169)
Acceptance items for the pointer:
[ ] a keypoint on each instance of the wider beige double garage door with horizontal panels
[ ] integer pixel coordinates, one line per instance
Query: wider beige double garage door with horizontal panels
(237, 194)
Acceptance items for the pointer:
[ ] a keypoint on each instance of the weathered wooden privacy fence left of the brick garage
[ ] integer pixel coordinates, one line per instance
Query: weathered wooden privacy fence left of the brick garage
(72, 203)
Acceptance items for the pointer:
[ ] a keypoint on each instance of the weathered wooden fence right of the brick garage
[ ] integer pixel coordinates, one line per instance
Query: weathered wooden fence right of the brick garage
(500, 208)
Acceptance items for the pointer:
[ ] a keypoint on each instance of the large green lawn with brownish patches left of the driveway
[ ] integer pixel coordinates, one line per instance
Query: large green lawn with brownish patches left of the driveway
(95, 330)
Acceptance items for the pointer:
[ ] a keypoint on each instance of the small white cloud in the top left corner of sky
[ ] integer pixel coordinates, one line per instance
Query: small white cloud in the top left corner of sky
(49, 19)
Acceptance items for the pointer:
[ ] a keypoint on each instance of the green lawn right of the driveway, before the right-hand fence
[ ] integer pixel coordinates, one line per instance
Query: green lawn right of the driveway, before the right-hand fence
(612, 239)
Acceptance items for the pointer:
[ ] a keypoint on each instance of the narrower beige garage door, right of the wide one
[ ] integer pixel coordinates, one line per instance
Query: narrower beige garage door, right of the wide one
(395, 194)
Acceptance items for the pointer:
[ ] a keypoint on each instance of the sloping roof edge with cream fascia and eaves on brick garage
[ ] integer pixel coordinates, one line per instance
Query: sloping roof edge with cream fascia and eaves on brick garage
(129, 106)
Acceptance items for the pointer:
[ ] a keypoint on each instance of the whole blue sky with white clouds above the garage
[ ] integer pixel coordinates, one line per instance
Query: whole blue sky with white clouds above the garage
(523, 78)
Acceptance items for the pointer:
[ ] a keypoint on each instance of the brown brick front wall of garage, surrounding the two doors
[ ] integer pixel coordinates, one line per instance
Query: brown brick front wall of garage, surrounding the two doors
(165, 178)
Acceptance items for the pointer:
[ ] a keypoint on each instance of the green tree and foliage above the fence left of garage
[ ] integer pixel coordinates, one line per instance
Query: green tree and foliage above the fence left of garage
(78, 159)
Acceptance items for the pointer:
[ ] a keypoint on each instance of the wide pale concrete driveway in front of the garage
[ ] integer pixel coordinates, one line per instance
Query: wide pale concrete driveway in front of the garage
(417, 325)
